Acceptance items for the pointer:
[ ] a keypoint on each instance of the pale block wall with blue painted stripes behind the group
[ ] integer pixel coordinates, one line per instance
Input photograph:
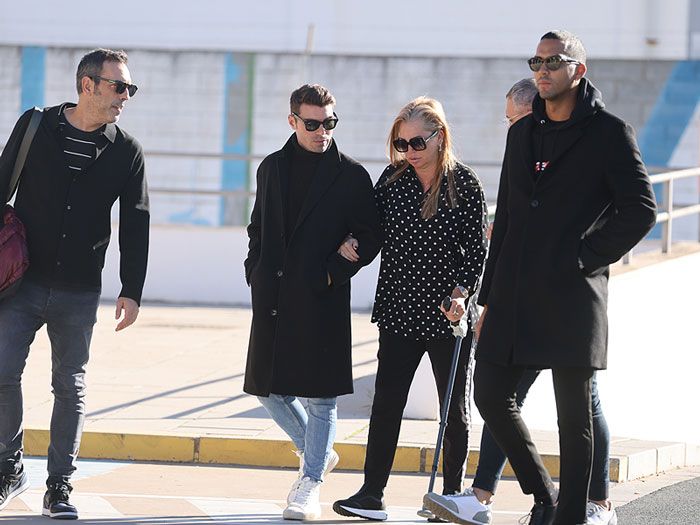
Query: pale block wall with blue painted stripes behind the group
(211, 103)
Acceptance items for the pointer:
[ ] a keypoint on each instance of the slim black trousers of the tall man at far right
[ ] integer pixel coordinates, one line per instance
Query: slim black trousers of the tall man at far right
(494, 394)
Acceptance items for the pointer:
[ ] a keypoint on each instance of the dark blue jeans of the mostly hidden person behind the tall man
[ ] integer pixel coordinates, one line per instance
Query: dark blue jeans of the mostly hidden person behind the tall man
(492, 459)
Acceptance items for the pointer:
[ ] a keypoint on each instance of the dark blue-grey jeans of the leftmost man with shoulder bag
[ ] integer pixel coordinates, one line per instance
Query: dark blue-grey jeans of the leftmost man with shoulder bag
(69, 317)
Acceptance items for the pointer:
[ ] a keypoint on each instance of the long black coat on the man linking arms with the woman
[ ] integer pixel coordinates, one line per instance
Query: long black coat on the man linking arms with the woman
(300, 340)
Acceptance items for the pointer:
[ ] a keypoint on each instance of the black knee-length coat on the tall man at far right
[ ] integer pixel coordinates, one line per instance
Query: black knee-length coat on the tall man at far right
(592, 204)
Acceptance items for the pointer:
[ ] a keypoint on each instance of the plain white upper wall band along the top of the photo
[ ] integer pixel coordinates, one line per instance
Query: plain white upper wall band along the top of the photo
(609, 28)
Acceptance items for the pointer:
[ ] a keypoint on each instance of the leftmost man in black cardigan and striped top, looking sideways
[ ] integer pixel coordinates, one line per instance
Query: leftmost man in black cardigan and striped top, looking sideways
(78, 165)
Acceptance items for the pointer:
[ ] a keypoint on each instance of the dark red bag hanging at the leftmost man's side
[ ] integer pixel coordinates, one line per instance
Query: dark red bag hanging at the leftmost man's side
(14, 256)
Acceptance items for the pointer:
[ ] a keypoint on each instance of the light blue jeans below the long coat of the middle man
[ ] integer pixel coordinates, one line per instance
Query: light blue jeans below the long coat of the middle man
(313, 433)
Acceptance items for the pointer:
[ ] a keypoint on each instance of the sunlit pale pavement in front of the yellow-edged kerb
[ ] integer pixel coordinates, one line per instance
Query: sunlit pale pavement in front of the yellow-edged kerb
(166, 494)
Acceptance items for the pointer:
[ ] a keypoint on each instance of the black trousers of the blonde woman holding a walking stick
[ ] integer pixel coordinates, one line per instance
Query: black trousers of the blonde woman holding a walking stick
(399, 358)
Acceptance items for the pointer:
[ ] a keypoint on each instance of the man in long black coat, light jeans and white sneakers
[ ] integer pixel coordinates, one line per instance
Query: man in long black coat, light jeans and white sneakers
(309, 197)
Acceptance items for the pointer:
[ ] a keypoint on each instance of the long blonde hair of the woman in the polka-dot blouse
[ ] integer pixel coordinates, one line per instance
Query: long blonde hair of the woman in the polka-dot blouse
(432, 114)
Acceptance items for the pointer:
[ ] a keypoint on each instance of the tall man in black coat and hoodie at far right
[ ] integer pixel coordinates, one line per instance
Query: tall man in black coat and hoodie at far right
(574, 196)
